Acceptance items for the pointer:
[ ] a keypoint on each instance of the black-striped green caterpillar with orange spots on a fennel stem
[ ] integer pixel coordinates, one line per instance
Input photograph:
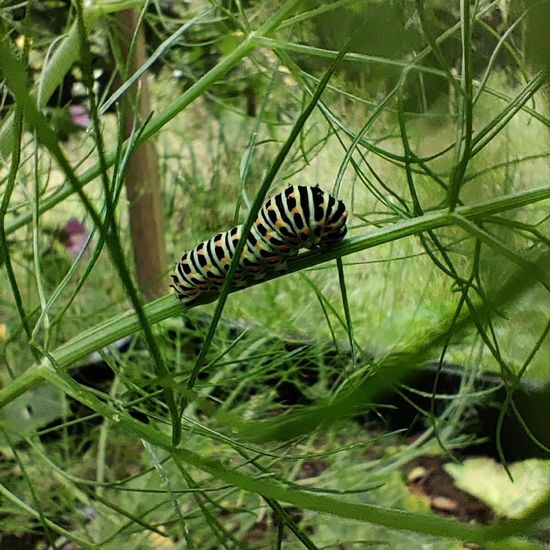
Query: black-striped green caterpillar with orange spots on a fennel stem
(299, 217)
